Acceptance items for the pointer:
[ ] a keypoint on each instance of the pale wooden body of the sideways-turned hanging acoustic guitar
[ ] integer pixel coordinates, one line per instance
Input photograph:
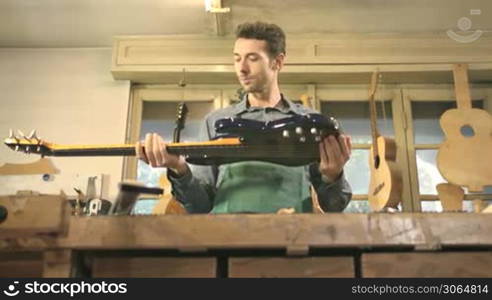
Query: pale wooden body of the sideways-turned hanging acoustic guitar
(385, 186)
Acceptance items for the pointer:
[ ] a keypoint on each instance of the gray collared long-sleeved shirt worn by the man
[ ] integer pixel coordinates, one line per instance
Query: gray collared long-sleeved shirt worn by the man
(196, 189)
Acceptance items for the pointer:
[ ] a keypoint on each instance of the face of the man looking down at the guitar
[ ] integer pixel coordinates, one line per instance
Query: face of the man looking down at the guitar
(254, 68)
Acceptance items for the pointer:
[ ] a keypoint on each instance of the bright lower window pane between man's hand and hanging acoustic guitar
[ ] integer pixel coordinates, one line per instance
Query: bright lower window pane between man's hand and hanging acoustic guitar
(357, 171)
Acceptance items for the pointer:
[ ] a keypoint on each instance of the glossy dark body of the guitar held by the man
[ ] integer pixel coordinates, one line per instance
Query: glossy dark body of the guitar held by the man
(291, 141)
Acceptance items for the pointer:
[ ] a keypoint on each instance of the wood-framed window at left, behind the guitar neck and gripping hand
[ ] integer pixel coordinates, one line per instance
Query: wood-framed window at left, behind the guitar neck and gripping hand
(154, 109)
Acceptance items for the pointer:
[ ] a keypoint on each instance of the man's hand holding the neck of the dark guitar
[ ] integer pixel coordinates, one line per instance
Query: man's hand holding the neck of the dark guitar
(153, 151)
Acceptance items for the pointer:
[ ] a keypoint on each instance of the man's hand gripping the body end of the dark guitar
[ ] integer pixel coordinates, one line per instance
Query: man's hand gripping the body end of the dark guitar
(334, 154)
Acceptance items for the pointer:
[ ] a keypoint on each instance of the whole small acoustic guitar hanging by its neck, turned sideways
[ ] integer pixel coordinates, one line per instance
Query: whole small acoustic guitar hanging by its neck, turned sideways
(385, 186)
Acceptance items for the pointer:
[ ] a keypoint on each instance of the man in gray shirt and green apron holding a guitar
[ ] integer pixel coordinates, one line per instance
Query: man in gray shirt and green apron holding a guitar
(252, 186)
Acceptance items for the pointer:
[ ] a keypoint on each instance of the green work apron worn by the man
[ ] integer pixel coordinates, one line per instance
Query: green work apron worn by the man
(261, 187)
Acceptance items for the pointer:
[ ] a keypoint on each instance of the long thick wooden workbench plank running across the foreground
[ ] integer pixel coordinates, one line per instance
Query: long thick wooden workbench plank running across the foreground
(263, 231)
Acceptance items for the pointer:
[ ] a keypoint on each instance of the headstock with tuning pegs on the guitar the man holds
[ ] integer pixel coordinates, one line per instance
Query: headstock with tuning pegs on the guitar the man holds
(28, 144)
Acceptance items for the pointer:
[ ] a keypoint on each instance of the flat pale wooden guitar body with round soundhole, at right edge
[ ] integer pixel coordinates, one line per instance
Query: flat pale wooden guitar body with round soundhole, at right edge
(466, 160)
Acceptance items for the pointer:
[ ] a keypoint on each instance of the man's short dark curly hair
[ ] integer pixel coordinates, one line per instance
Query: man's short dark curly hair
(271, 33)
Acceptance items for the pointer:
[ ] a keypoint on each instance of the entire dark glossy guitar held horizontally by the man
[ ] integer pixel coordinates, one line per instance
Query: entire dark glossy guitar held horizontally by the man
(290, 141)
